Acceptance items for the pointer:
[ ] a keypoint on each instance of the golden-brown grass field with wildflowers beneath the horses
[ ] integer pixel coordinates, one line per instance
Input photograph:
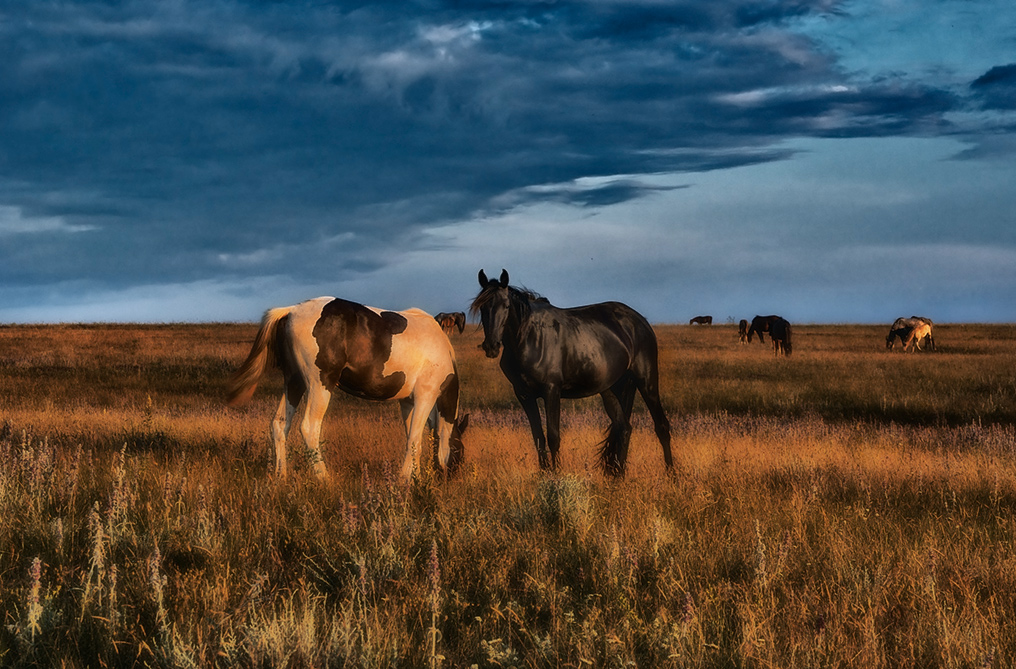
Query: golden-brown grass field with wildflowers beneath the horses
(846, 507)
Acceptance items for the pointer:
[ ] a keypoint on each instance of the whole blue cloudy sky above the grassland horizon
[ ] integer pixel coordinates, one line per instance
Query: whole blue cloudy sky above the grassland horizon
(166, 161)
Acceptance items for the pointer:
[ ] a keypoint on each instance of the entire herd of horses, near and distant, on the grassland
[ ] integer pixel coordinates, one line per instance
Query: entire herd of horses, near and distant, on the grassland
(546, 352)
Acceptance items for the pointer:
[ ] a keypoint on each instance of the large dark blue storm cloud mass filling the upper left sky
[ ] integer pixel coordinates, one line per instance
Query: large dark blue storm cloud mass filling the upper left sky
(153, 142)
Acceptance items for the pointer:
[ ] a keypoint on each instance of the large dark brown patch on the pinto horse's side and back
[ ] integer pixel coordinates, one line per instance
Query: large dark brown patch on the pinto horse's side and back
(354, 345)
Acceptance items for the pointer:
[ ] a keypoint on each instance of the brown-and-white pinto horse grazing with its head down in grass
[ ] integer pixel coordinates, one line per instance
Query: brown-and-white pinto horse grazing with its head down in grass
(328, 344)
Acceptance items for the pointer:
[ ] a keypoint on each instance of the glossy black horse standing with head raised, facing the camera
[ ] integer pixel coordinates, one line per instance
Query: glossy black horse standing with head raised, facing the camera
(606, 349)
